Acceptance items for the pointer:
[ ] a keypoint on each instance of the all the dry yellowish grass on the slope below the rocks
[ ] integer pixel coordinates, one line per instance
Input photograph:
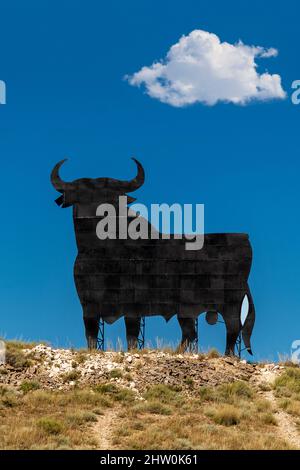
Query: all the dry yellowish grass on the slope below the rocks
(229, 416)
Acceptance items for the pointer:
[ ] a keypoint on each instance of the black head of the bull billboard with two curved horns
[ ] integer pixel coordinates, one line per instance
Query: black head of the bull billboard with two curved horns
(91, 191)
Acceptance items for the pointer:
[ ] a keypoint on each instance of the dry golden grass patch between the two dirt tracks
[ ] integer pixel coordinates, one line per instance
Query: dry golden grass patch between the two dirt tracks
(230, 416)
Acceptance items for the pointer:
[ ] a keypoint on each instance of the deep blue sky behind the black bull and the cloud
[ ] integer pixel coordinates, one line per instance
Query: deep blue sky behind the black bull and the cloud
(64, 64)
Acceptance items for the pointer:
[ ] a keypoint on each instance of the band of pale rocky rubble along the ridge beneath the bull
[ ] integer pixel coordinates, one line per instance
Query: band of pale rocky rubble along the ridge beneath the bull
(154, 367)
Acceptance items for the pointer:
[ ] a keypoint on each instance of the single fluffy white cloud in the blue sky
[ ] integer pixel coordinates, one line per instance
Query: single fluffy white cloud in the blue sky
(201, 68)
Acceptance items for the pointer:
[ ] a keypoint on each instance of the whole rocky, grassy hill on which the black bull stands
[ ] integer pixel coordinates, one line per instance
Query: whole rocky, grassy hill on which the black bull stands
(151, 399)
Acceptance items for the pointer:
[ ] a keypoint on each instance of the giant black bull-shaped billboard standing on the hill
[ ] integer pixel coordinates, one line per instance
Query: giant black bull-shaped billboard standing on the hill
(135, 278)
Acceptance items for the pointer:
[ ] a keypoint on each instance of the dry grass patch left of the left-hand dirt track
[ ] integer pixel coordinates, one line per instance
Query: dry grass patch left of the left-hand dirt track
(49, 420)
